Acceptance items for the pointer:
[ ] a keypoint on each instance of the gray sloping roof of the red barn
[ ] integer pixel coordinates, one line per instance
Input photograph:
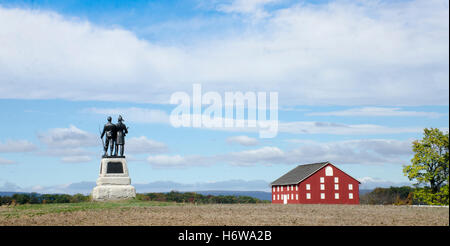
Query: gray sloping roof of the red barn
(299, 173)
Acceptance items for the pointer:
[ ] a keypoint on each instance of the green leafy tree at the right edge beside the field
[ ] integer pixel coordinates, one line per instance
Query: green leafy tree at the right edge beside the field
(429, 167)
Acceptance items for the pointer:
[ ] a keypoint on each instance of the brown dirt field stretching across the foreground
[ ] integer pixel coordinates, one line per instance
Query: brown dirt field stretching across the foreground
(241, 214)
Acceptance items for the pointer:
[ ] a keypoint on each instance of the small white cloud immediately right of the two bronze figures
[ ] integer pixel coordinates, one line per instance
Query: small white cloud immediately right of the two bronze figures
(139, 145)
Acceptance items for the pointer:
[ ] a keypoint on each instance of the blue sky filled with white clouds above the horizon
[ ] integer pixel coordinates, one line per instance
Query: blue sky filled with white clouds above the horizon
(357, 83)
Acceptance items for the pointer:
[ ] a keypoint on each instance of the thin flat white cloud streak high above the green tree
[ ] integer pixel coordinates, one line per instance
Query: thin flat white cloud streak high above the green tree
(377, 111)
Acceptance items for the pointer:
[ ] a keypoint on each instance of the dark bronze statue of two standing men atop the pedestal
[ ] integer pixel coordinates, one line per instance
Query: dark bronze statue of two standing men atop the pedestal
(115, 137)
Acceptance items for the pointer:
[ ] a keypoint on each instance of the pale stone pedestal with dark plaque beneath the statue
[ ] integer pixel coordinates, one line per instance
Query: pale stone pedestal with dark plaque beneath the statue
(113, 182)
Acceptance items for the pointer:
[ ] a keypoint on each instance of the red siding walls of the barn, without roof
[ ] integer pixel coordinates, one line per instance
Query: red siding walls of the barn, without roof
(315, 190)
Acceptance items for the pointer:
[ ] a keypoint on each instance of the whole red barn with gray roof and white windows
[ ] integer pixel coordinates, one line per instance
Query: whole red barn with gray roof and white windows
(315, 183)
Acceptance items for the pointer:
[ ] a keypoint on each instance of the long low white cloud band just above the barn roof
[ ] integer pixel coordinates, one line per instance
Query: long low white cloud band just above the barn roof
(360, 152)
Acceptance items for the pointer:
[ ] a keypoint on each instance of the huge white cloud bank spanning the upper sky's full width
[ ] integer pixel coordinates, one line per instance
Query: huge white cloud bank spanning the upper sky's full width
(340, 53)
